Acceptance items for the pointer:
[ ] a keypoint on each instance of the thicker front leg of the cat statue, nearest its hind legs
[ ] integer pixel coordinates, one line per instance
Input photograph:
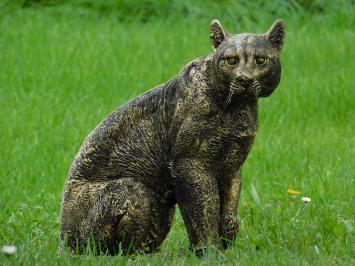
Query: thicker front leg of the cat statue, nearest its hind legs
(198, 199)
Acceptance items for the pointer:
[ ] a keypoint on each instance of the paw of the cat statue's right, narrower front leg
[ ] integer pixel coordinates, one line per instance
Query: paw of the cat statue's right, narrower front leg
(229, 228)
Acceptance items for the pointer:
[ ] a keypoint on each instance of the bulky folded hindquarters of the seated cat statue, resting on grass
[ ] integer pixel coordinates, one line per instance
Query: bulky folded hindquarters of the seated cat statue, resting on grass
(114, 214)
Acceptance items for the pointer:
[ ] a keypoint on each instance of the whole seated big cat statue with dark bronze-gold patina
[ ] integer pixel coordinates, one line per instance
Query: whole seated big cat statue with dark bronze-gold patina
(183, 142)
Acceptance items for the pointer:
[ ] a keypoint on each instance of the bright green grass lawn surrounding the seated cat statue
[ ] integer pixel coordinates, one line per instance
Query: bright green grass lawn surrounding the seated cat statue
(64, 66)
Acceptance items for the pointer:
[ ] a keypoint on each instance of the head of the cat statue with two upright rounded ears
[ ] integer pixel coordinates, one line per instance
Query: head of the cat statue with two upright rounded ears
(247, 64)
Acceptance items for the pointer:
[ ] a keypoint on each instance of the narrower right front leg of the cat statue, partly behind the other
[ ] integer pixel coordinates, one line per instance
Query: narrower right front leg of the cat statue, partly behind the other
(230, 194)
